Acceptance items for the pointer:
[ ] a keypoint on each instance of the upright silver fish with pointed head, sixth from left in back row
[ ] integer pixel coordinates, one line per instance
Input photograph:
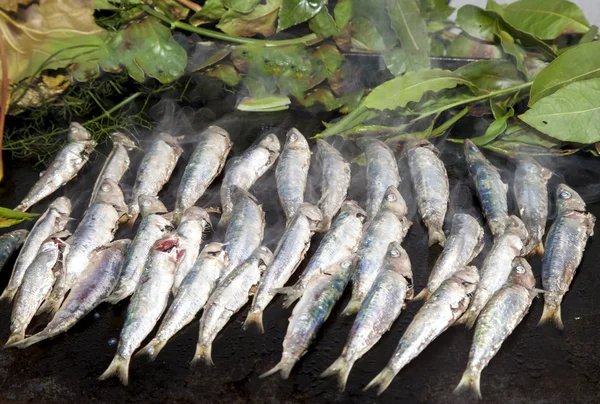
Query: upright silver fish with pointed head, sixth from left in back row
(292, 172)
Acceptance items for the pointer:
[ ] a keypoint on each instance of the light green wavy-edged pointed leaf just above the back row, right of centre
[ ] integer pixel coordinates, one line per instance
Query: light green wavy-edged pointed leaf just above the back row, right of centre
(411, 87)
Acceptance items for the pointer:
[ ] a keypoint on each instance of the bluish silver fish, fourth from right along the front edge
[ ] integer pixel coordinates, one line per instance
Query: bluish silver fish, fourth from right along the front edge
(314, 307)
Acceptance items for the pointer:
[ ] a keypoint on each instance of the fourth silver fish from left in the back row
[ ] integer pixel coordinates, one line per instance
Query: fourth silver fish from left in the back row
(205, 164)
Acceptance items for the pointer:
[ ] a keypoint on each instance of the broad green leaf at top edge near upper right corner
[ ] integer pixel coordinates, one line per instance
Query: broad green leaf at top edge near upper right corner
(546, 19)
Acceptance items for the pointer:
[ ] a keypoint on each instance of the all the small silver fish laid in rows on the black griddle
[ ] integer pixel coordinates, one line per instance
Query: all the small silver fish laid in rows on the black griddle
(362, 247)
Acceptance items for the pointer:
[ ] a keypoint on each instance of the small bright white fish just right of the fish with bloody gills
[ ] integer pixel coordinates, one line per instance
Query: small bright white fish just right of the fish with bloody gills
(194, 223)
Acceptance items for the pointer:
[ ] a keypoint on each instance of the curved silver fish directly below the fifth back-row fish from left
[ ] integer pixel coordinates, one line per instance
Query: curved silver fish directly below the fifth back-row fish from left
(245, 230)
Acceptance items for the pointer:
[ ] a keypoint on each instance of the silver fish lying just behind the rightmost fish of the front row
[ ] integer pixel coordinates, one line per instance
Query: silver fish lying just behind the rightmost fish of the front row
(496, 267)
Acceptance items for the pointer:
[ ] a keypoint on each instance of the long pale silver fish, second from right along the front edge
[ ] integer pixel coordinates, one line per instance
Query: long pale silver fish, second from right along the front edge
(438, 313)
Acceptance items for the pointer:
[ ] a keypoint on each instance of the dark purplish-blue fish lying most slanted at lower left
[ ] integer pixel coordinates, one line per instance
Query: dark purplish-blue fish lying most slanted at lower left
(93, 286)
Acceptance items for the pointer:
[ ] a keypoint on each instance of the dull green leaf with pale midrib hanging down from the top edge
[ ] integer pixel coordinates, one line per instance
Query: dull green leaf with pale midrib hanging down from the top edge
(408, 24)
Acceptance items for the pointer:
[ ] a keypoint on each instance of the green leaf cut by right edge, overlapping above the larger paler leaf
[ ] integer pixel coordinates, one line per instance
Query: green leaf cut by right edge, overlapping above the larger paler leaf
(580, 63)
